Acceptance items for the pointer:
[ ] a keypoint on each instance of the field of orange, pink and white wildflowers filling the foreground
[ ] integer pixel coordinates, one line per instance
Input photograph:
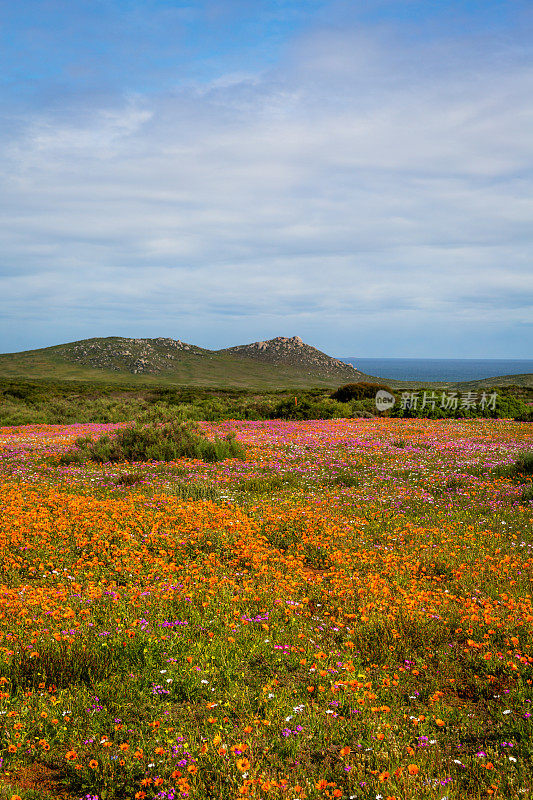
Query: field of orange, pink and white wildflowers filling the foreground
(347, 613)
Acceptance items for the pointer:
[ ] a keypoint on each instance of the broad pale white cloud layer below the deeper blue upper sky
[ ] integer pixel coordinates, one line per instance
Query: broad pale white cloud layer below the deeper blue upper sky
(357, 178)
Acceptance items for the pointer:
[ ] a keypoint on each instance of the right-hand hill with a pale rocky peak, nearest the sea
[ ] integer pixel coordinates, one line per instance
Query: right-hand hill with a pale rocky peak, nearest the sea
(294, 352)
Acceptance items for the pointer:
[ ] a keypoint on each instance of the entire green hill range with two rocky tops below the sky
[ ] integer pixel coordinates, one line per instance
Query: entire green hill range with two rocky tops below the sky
(278, 362)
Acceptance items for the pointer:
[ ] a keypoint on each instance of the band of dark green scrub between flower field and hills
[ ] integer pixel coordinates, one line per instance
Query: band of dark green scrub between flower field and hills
(65, 402)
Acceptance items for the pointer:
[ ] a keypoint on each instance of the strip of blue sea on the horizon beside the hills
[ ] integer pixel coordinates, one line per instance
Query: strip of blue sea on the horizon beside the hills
(441, 369)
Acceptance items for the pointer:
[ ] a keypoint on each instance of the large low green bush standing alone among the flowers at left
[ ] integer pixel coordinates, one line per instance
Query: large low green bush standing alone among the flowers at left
(154, 442)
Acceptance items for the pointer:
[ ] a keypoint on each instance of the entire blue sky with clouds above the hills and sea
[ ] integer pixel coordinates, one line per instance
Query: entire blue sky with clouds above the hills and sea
(355, 172)
